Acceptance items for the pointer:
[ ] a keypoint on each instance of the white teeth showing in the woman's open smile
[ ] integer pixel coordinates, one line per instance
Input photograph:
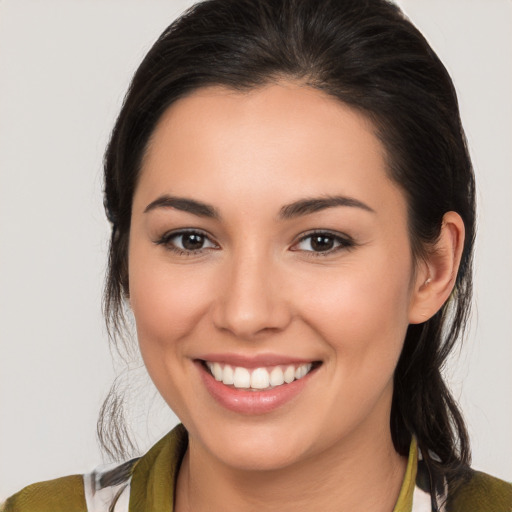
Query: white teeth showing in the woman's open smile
(258, 379)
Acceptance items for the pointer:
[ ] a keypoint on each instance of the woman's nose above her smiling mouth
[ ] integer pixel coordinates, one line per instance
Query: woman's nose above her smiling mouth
(251, 300)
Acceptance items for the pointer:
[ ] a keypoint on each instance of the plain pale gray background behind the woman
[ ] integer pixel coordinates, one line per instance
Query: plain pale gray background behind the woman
(64, 68)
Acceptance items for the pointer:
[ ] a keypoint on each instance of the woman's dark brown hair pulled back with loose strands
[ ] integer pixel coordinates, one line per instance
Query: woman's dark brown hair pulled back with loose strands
(366, 54)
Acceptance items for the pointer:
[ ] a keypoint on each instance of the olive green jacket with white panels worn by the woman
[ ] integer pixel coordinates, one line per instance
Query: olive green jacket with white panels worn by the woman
(147, 484)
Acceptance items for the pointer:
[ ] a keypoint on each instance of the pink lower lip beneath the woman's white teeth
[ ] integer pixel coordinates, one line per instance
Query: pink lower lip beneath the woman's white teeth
(252, 402)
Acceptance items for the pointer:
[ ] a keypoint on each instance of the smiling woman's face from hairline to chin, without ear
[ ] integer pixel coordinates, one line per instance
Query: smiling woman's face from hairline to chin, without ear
(268, 245)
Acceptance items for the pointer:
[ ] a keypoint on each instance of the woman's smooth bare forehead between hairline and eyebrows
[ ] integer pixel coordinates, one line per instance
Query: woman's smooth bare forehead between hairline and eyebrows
(275, 142)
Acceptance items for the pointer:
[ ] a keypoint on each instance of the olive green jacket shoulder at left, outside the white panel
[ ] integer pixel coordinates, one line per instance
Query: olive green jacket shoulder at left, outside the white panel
(60, 495)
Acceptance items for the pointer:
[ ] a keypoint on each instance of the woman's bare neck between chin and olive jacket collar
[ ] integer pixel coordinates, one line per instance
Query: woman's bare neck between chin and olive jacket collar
(355, 476)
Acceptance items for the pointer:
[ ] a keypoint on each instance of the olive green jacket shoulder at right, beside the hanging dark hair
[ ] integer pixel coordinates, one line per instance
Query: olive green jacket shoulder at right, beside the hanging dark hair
(481, 492)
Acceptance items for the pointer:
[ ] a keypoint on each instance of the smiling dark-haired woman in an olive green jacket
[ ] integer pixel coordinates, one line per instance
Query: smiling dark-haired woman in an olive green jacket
(292, 208)
